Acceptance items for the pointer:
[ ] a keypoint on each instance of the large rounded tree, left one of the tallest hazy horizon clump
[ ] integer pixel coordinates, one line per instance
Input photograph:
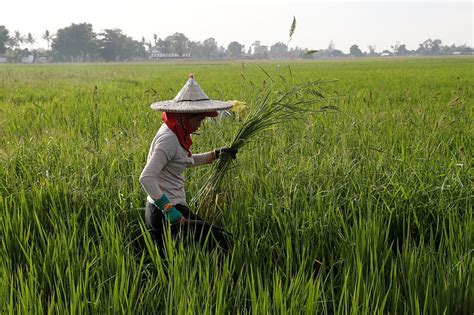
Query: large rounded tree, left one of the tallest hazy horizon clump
(75, 43)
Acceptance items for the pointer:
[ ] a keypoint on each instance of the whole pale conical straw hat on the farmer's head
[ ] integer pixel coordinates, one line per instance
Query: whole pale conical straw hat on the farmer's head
(191, 99)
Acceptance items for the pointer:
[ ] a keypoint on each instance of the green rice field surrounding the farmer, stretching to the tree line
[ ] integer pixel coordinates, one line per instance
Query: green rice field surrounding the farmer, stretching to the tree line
(367, 209)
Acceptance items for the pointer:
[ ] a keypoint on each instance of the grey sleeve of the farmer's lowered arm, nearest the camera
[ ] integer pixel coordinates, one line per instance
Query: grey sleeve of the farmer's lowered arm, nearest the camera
(162, 153)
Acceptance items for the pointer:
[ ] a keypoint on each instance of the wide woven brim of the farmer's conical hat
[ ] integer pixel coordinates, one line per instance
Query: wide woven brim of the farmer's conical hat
(191, 107)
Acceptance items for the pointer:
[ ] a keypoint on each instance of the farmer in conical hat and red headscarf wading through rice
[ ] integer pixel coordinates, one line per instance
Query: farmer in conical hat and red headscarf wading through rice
(170, 154)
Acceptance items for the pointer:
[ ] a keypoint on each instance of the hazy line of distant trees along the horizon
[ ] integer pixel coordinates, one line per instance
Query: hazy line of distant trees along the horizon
(79, 43)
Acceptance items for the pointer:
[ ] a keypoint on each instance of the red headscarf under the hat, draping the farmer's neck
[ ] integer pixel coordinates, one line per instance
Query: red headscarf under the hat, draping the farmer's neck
(179, 124)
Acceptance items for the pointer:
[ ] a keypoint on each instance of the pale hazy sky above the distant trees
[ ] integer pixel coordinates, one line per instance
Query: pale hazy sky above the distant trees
(380, 23)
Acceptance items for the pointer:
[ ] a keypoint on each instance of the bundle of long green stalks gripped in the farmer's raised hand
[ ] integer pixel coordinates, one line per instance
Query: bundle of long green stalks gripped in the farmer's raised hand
(269, 108)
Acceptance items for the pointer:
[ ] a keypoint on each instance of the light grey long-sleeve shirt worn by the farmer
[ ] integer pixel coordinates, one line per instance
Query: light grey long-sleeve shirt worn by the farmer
(166, 162)
